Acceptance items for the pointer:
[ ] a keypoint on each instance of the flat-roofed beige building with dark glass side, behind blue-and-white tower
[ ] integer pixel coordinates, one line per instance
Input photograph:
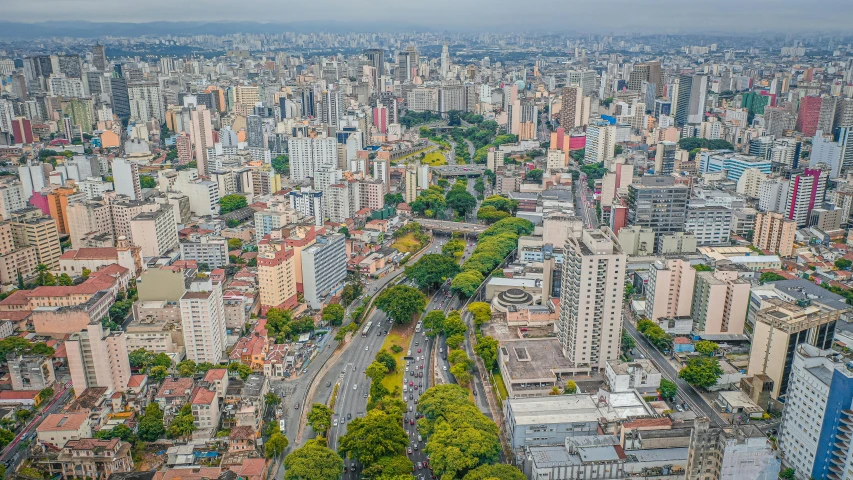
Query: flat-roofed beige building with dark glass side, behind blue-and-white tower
(781, 326)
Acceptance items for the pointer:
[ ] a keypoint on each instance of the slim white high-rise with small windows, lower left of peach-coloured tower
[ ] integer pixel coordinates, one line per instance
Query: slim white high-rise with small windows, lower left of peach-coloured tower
(203, 322)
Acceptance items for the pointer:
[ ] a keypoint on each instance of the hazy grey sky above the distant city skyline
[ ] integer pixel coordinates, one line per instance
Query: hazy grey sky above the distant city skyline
(567, 15)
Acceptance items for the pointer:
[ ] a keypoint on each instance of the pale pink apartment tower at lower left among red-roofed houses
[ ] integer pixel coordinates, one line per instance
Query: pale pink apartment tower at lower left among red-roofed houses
(98, 357)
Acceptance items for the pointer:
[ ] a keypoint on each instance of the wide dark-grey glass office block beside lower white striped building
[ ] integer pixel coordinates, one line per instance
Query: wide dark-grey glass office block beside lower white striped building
(657, 202)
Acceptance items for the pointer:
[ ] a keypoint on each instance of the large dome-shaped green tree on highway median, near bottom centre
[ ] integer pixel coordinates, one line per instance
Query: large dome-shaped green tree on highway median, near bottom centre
(374, 436)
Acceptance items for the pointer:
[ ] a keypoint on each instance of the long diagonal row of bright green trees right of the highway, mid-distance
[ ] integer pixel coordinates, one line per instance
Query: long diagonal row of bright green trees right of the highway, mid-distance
(494, 245)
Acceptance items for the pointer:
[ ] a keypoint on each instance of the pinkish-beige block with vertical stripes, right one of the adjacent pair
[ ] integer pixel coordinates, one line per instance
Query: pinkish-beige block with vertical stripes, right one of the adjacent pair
(720, 302)
